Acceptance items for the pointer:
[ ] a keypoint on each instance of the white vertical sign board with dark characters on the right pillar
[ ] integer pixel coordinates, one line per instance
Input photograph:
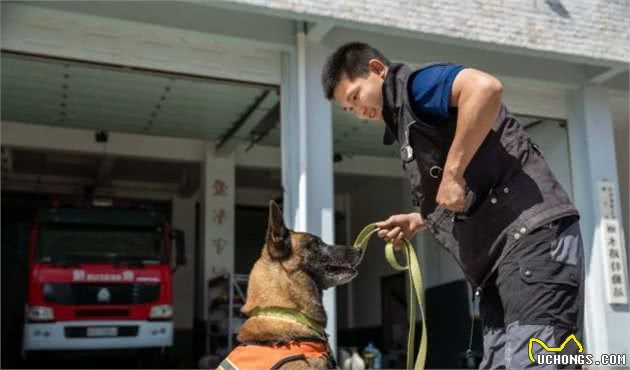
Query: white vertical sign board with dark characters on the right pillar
(612, 244)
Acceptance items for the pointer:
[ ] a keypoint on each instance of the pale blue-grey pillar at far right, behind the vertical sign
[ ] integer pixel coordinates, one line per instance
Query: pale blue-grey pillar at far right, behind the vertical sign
(592, 152)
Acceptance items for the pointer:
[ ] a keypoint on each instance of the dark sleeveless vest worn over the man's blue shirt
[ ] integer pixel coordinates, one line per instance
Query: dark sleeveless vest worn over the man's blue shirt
(510, 189)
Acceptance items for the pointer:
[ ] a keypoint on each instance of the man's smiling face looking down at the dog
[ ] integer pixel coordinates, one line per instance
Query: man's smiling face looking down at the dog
(363, 95)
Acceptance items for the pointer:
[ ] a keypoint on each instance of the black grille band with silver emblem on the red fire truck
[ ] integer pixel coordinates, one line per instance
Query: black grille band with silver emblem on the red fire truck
(101, 293)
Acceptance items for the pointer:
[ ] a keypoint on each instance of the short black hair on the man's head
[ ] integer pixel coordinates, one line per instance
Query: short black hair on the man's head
(351, 60)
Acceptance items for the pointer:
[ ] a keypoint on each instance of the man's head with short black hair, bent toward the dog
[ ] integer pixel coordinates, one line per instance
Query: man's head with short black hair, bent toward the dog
(353, 76)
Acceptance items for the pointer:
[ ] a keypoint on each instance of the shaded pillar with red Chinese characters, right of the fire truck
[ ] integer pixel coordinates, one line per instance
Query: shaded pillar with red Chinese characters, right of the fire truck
(217, 218)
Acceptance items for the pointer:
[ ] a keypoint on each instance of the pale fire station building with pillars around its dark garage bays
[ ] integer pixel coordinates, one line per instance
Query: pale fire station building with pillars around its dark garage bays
(232, 89)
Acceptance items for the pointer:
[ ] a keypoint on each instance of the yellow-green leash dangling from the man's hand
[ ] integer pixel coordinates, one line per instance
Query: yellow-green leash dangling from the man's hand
(415, 290)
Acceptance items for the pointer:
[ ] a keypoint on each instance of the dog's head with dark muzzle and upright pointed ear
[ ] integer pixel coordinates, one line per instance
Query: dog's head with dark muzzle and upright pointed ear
(328, 265)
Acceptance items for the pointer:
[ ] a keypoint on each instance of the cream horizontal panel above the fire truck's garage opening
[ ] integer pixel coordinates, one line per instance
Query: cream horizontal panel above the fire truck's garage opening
(65, 34)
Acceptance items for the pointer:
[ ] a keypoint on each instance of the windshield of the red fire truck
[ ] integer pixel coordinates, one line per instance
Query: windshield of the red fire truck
(73, 243)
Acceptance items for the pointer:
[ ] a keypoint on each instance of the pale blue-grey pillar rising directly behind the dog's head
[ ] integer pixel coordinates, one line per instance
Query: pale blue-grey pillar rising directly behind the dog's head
(307, 151)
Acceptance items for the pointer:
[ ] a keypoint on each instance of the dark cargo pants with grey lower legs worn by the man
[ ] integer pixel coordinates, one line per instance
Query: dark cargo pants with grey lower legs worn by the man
(537, 291)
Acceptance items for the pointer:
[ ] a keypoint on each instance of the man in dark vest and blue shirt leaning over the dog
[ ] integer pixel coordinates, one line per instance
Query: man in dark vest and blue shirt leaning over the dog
(483, 190)
